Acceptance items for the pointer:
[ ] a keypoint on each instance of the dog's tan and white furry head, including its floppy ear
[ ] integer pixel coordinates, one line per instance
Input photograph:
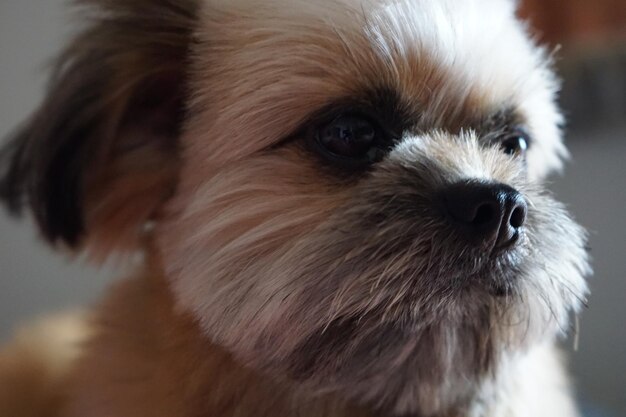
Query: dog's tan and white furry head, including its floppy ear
(352, 200)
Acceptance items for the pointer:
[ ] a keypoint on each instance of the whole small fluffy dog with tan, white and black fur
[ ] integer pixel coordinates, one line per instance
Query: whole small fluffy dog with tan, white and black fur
(332, 208)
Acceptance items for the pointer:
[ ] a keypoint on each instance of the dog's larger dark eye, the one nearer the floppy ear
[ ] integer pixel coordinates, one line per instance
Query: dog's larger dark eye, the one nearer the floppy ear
(354, 138)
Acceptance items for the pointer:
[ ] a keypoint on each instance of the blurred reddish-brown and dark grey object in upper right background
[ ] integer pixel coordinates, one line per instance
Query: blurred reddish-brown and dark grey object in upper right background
(592, 60)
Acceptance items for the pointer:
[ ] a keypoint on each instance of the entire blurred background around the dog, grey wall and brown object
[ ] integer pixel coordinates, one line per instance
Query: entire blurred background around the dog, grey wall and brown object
(592, 61)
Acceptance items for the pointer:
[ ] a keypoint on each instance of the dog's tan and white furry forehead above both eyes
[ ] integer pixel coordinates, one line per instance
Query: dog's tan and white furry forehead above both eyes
(269, 64)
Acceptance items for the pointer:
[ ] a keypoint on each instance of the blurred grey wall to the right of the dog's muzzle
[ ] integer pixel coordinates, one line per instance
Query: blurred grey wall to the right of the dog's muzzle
(595, 189)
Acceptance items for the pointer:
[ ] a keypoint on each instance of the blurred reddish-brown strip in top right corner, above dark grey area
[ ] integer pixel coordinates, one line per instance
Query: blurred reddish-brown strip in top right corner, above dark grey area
(573, 21)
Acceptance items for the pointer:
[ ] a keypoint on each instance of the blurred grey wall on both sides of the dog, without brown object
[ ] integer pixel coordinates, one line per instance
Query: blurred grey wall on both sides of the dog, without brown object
(34, 281)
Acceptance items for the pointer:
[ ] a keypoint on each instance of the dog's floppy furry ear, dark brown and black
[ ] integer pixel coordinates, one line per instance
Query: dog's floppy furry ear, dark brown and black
(98, 158)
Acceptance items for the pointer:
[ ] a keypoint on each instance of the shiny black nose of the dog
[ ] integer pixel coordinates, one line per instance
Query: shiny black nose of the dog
(489, 214)
